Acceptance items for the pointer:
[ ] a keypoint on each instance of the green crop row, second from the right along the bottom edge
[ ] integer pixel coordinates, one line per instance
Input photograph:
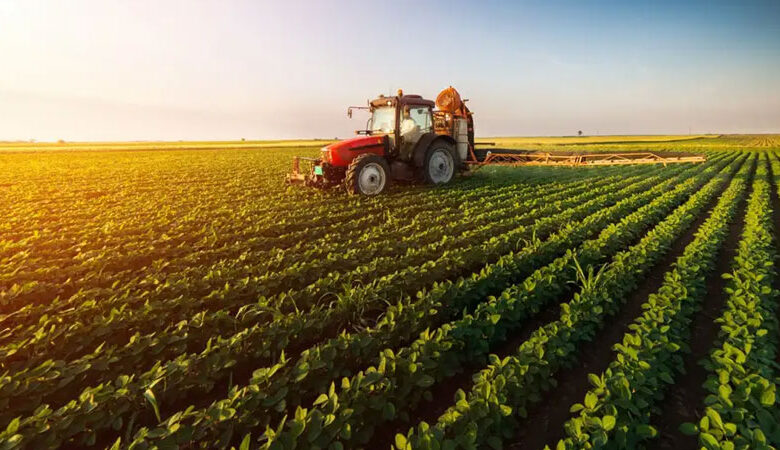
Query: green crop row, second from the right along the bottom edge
(616, 411)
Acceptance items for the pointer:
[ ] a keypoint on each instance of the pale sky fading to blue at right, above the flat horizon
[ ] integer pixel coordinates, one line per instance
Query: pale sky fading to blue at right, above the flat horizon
(97, 70)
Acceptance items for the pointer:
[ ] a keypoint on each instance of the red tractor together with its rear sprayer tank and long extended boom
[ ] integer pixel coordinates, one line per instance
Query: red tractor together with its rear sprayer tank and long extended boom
(407, 139)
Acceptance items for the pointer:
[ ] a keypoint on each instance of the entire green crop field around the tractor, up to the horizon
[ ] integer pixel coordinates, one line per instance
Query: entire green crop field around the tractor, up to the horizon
(180, 295)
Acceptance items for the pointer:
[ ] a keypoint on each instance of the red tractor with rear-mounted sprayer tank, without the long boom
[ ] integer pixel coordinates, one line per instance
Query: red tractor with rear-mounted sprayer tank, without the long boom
(405, 139)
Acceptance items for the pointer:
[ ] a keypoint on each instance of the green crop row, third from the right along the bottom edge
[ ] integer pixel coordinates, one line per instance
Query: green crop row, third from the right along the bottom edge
(503, 391)
